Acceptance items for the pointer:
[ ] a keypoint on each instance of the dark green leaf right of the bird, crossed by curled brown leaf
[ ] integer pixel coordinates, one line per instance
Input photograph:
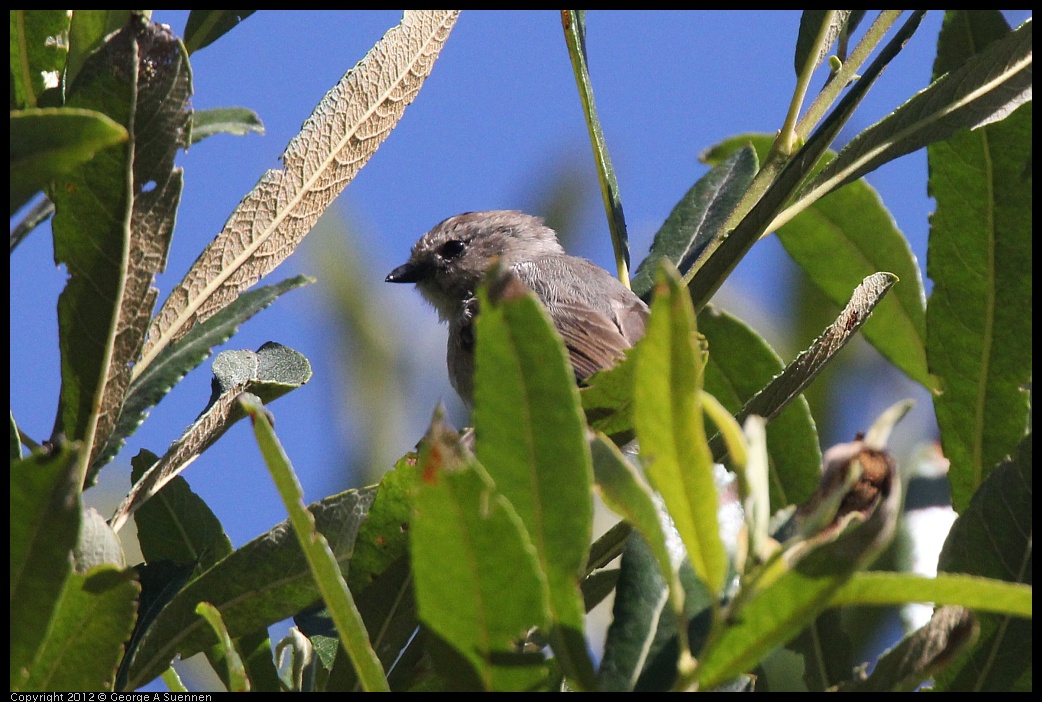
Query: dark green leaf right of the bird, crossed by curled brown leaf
(740, 364)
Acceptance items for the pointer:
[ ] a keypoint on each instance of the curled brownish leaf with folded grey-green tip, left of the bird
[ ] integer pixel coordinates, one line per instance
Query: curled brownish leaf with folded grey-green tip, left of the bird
(270, 373)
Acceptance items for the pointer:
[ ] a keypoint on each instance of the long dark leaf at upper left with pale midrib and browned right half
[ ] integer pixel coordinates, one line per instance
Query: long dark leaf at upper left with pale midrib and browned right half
(114, 219)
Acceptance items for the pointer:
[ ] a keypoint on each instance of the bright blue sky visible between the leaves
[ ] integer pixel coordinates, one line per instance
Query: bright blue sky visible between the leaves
(499, 113)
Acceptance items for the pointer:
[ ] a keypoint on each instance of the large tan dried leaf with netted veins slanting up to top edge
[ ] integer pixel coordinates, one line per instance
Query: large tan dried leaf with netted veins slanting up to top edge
(336, 142)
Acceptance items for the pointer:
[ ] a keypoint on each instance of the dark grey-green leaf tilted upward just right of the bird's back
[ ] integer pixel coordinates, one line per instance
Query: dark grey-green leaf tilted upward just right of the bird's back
(699, 217)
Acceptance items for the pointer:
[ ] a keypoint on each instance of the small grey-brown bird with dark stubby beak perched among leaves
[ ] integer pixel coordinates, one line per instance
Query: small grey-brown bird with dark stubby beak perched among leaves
(597, 316)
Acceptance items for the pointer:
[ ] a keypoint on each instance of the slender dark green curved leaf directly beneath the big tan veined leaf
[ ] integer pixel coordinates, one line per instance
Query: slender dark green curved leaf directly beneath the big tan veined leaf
(176, 362)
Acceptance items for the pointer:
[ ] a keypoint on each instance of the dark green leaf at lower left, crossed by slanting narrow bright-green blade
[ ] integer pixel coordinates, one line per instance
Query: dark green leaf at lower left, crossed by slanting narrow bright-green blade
(261, 584)
